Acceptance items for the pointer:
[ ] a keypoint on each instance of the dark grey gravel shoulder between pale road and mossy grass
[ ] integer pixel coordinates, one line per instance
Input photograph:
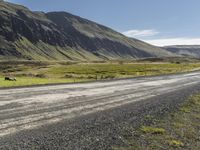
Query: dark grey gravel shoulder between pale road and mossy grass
(101, 130)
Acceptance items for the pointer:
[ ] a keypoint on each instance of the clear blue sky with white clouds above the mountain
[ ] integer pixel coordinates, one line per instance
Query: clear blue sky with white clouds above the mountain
(159, 22)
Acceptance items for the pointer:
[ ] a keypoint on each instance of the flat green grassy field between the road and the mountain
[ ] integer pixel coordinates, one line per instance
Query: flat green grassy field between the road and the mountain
(34, 73)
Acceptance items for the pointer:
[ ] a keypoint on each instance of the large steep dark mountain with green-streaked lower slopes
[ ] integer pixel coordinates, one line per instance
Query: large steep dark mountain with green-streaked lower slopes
(29, 35)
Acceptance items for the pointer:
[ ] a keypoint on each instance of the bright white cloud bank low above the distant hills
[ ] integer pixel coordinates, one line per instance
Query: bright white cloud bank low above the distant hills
(174, 41)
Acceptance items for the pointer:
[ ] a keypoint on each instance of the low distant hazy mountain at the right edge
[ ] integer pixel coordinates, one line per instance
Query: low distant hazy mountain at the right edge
(185, 50)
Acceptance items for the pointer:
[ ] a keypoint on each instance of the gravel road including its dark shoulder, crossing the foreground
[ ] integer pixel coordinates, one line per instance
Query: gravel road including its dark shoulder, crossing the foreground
(94, 115)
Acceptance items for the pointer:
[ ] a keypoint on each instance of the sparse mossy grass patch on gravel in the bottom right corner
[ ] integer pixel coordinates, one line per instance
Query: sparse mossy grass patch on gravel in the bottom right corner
(179, 130)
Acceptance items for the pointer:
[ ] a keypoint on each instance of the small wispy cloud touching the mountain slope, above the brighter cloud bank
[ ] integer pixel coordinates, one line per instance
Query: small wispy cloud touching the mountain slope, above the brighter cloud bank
(140, 33)
